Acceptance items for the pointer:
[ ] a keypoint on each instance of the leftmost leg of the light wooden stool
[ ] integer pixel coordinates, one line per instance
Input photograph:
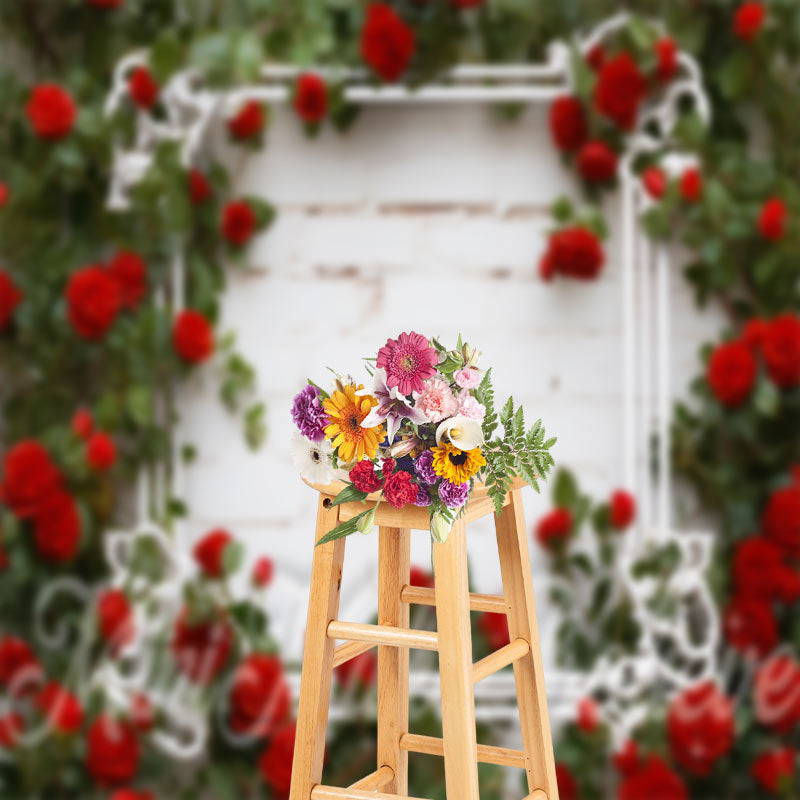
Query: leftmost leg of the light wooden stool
(315, 682)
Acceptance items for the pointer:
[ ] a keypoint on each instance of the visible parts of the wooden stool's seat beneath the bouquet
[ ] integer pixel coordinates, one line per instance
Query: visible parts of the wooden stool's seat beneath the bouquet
(414, 517)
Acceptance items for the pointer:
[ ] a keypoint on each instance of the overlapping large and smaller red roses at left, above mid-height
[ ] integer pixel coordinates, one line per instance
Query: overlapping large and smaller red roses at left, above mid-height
(96, 294)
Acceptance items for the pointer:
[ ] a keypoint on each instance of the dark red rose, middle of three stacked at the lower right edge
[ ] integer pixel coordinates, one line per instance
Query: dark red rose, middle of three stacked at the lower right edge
(759, 570)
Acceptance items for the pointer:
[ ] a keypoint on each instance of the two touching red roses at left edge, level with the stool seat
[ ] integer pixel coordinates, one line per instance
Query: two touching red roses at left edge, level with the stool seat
(32, 487)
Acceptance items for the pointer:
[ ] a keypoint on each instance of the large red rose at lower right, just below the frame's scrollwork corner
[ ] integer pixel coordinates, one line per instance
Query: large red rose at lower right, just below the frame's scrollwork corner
(700, 727)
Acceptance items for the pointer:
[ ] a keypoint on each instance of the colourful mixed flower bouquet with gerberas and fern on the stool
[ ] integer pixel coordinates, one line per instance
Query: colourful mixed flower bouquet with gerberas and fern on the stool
(422, 435)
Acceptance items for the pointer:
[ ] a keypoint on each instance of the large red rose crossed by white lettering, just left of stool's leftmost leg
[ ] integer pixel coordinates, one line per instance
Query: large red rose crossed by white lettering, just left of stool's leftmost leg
(260, 696)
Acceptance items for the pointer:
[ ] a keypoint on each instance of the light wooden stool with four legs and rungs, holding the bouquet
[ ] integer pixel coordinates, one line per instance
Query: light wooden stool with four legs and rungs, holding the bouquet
(452, 641)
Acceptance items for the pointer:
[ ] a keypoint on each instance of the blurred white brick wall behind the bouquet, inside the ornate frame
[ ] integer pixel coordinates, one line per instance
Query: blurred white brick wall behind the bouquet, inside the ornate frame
(422, 218)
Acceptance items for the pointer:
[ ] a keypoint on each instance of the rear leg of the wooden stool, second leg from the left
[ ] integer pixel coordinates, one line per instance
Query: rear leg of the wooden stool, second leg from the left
(394, 546)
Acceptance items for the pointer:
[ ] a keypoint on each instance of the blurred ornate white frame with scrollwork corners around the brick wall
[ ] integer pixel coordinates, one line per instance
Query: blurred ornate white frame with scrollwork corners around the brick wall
(191, 110)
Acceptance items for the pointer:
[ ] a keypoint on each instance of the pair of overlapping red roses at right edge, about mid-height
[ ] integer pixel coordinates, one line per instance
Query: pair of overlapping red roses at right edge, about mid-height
(733, 366)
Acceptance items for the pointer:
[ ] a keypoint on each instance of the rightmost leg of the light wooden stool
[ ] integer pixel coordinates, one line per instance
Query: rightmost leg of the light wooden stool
(537, 741)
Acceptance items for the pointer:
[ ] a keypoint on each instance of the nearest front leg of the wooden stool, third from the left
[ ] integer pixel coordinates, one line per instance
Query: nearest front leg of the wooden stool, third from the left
(455, 666)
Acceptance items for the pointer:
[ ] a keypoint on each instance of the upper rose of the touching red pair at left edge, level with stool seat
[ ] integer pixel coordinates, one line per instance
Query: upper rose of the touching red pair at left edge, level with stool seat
(29, 477)
